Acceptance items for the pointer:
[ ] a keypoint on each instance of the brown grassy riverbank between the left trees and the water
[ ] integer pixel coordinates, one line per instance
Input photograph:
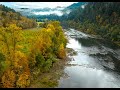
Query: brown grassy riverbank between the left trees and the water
(50, 79)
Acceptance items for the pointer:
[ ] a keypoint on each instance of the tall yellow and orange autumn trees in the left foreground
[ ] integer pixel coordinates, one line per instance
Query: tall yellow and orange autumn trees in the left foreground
(16, 62)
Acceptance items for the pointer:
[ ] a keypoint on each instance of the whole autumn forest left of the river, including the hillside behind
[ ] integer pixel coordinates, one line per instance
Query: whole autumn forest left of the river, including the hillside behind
(27, 53)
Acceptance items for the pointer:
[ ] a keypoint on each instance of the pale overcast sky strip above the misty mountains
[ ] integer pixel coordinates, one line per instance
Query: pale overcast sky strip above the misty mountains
(36, 4)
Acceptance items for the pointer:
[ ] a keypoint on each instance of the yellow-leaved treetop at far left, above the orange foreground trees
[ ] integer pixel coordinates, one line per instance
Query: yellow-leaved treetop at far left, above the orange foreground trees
(10, 37)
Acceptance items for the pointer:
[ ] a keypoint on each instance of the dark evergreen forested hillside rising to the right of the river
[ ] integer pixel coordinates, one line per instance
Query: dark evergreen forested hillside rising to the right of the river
(101, 18)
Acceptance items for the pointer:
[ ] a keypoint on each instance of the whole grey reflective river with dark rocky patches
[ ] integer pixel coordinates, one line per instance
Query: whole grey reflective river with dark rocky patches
(96, 65)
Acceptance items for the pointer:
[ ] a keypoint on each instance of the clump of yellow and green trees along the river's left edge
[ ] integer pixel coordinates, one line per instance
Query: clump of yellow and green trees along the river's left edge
(48, 45)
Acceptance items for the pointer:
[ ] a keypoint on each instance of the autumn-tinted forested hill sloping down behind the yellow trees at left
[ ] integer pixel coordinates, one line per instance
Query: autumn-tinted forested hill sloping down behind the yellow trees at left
(9, 16)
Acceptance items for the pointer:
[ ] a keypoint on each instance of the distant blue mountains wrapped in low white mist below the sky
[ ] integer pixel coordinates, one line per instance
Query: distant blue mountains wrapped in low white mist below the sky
(49, 13)
